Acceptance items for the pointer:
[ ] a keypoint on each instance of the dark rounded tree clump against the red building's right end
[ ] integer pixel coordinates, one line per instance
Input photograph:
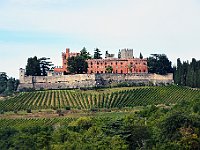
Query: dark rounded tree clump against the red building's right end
(160, 64)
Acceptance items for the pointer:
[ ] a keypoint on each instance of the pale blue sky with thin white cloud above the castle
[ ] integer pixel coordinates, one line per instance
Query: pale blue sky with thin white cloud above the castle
(45, 28)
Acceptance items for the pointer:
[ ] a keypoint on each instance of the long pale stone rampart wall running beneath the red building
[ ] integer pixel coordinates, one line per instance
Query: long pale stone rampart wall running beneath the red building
(89, 80)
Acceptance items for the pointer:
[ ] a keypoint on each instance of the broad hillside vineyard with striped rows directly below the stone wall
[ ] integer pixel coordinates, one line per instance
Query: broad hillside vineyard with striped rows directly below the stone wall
(77, 99)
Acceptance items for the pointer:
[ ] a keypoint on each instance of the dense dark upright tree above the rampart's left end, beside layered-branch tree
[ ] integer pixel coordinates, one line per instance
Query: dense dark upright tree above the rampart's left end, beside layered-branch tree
(33, 67)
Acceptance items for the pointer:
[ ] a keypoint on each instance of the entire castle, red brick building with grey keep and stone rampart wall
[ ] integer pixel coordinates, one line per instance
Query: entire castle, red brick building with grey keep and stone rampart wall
(126, 68)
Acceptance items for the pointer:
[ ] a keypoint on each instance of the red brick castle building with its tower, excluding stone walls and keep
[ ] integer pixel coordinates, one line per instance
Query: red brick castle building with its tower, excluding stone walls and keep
(119, 65)
